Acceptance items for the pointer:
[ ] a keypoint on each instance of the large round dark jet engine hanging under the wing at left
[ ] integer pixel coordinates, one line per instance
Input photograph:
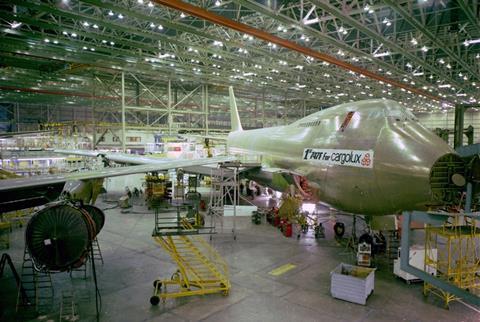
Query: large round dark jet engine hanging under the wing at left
(59, 236)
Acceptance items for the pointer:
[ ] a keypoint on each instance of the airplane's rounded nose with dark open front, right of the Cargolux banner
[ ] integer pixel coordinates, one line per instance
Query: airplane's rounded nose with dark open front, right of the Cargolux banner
(415, 169)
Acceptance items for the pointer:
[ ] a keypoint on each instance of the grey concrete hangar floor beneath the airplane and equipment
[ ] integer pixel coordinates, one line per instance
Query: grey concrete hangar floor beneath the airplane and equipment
(133, 260)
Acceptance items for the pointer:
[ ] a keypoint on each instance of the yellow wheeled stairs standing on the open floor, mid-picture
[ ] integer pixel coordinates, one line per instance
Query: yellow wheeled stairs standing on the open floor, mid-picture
(201, 270)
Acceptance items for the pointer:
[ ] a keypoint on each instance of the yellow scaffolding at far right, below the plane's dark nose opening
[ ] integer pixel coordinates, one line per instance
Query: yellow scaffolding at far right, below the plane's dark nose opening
(456, 259)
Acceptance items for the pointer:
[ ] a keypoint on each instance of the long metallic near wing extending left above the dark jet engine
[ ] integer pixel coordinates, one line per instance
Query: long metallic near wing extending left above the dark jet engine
(160, 164)
